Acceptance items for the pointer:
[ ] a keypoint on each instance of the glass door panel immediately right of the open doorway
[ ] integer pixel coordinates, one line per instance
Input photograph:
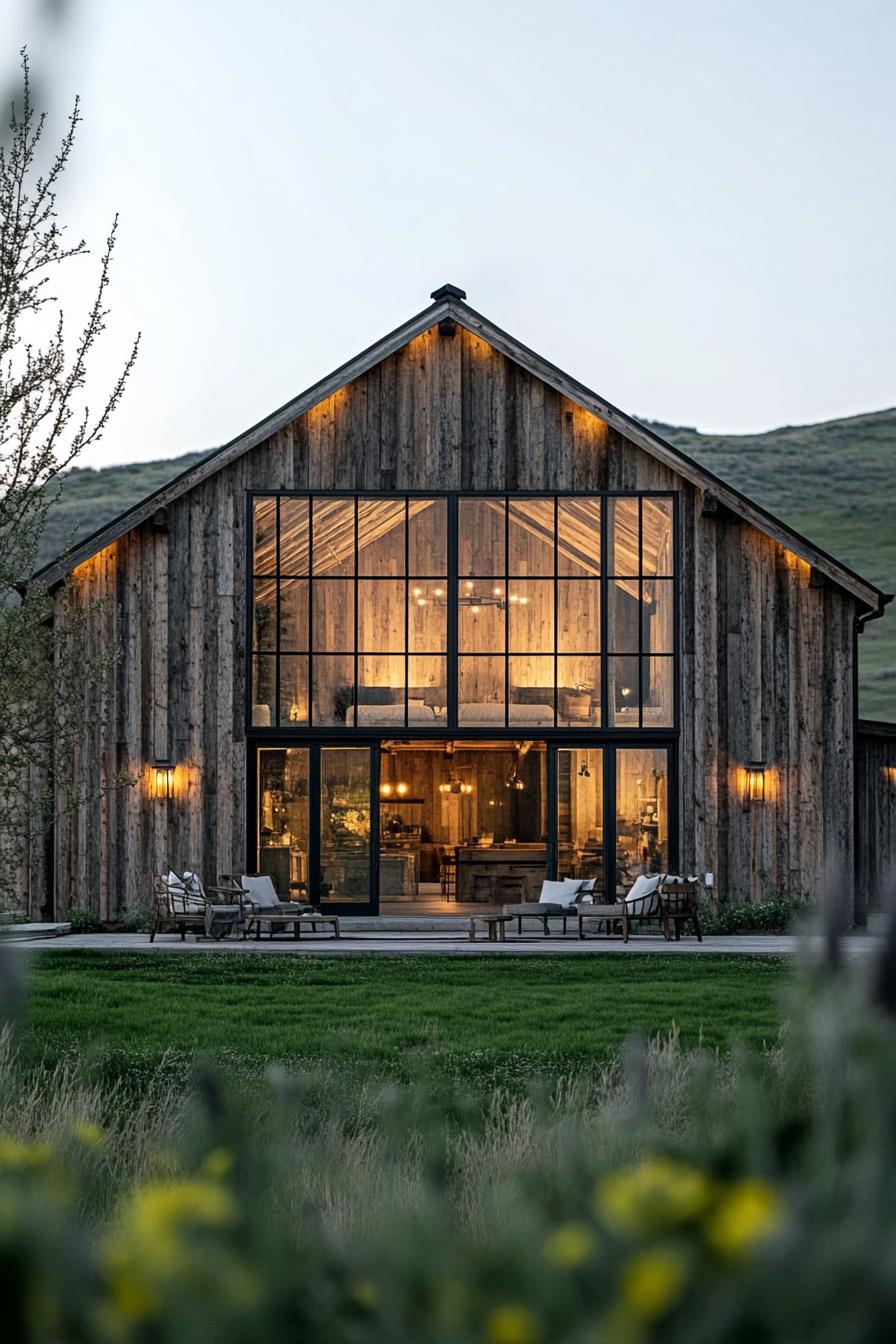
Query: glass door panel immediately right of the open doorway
(581, 816)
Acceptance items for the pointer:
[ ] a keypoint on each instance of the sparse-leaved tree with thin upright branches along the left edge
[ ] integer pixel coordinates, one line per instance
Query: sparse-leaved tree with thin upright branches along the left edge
(48, 659)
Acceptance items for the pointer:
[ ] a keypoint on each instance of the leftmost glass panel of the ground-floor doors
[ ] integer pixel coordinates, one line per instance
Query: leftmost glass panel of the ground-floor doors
(283, 819)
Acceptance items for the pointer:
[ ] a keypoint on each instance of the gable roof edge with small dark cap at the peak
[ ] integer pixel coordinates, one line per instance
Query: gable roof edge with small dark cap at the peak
(451, 303)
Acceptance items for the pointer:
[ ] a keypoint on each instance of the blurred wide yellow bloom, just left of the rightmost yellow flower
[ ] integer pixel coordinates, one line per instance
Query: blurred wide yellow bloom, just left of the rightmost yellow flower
(658, 1194)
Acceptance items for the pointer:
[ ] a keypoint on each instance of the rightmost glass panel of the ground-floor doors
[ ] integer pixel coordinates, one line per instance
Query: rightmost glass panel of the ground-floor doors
(641, 814)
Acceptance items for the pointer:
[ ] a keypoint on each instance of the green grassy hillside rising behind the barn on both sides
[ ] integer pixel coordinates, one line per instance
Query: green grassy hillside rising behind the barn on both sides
(835, 482)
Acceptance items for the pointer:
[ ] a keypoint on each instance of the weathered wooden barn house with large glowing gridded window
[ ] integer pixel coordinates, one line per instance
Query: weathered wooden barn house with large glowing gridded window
(449, 623)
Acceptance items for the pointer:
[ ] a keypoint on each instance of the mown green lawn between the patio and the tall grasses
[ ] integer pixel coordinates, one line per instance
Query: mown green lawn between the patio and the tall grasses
(490, 1019)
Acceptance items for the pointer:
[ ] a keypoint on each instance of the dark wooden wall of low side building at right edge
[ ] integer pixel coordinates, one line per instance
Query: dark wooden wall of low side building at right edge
(877, 795)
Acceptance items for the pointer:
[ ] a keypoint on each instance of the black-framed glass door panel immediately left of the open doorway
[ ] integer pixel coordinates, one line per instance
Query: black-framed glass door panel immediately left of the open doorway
(345, 826)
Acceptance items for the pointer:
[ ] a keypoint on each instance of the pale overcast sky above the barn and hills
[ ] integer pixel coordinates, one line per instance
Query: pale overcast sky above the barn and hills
(690, 206)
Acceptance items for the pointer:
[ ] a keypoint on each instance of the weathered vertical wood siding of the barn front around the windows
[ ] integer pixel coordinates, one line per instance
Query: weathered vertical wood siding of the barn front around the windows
(766, 659)
